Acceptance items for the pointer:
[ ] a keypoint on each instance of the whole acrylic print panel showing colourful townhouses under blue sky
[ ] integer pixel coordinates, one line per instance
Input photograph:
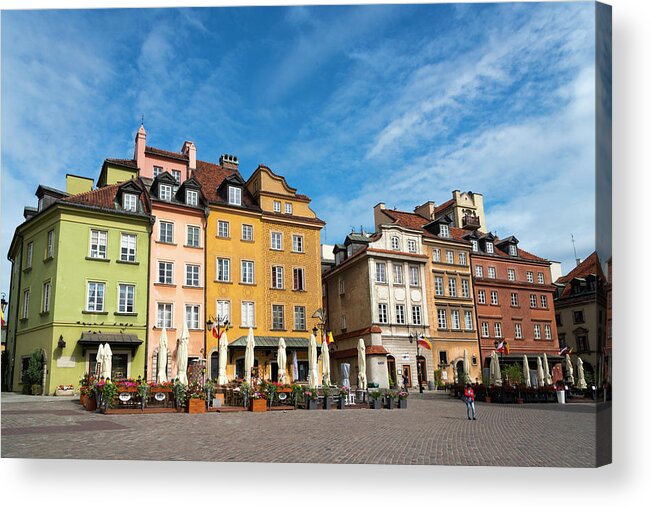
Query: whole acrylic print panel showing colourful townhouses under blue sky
(352, 234)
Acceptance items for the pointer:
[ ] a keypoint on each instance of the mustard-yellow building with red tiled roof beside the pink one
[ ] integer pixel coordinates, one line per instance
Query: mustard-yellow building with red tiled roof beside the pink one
(263, 266)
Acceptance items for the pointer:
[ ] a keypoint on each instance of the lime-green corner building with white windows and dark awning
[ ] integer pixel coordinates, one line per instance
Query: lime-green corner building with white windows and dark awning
(79, 277)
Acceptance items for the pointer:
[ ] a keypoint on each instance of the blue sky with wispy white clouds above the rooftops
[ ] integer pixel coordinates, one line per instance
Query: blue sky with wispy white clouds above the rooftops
(353, 105)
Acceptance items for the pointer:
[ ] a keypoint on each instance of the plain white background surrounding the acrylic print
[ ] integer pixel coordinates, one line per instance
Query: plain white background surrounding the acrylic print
(67, 482)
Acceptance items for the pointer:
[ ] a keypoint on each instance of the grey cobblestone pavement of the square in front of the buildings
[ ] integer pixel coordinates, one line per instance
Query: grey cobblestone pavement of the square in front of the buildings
(430, 431)
